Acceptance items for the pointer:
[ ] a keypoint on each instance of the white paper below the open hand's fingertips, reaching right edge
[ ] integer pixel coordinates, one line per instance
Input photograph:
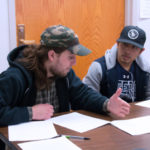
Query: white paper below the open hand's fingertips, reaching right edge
(136, 126)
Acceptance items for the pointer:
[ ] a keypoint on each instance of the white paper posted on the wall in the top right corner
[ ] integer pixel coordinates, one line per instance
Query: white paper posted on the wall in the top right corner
(144, 8)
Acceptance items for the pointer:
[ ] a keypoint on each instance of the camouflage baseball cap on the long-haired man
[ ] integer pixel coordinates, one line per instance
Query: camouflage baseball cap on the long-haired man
(63, 37)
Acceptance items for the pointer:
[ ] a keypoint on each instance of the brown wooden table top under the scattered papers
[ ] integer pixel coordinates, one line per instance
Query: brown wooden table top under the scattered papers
(103, 138)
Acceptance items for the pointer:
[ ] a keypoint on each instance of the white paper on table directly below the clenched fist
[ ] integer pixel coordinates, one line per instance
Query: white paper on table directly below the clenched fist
(33, 130)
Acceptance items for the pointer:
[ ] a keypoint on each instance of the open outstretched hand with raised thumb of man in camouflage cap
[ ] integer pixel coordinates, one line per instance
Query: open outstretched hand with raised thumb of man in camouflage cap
(117, 107)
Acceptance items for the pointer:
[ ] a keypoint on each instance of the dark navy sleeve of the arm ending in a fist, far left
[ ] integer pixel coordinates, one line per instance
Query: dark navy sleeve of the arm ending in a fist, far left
(12, 109)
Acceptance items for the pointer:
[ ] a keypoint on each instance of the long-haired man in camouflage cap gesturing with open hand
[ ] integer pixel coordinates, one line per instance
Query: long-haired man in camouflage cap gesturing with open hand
(40, 81)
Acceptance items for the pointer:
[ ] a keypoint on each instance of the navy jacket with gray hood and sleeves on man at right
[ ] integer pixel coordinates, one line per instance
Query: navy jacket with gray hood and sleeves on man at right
(95, 74)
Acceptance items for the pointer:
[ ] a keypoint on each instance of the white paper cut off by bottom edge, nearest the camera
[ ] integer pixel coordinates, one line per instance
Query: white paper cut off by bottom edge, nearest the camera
(60, 143)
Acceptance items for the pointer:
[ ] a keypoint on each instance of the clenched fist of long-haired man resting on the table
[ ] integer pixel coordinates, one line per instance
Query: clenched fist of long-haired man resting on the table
(42, 111)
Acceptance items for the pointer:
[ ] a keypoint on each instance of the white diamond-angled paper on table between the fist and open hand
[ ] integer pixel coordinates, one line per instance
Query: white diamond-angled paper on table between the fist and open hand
(78, 122)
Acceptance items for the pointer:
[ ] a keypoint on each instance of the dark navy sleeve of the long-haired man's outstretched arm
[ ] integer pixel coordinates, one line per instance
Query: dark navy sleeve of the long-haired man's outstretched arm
(83, 97)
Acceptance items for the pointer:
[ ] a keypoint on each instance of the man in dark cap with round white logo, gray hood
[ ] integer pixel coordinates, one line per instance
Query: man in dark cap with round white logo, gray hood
(122, 67)
